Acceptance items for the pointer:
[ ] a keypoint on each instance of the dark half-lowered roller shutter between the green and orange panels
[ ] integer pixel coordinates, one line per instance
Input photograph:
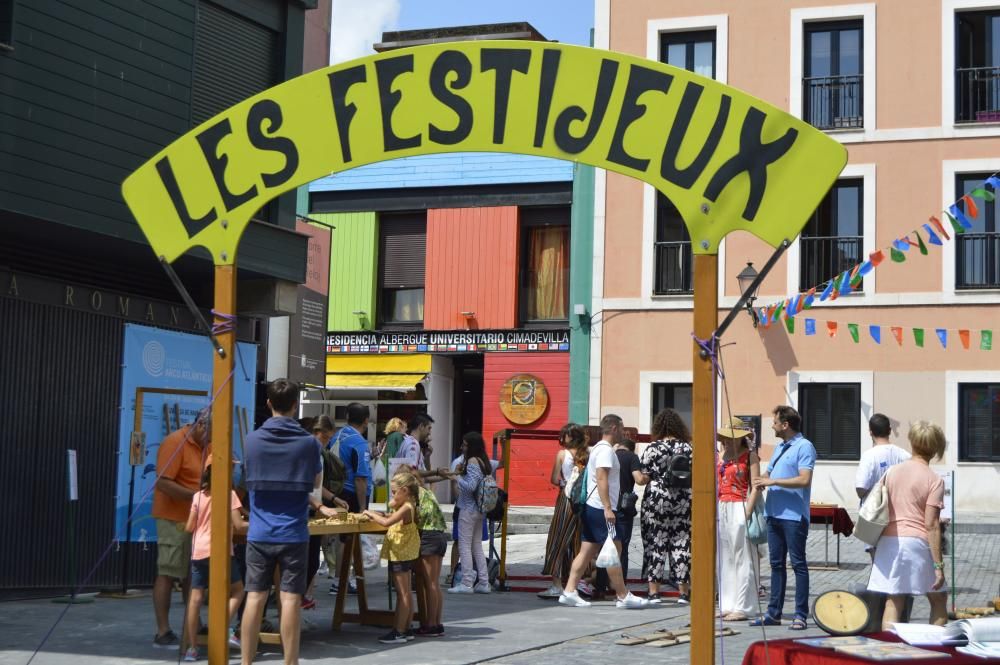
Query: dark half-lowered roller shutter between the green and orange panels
(403, 250)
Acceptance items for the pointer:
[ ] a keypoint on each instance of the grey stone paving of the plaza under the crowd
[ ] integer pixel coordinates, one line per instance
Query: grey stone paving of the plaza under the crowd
(513, 628)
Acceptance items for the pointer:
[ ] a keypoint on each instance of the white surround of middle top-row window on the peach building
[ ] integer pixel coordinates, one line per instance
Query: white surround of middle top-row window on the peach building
(866, 12)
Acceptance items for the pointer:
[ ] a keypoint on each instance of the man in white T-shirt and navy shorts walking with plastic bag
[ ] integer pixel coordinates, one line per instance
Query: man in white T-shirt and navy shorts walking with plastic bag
(603, 487)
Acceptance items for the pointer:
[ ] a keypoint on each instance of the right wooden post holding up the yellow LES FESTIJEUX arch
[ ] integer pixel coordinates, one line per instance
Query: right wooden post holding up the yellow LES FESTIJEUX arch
(703, 500)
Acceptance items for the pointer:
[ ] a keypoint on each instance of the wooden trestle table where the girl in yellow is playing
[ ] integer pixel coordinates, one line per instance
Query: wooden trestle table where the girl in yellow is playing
(365, 615)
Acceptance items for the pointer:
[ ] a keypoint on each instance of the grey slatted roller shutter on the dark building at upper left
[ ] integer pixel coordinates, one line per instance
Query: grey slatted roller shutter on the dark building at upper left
(234, 58)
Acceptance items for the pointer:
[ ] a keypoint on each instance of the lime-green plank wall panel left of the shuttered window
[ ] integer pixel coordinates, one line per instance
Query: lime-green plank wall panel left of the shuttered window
(353, 262)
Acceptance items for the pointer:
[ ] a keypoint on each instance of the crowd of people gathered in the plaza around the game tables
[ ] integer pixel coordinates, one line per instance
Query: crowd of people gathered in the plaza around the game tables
(294, 469)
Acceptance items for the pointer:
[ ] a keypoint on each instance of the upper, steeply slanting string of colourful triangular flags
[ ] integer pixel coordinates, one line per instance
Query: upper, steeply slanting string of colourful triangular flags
(845, 282)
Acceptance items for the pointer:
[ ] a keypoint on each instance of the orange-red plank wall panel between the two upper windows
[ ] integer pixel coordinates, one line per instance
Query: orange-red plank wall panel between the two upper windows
(472, 258)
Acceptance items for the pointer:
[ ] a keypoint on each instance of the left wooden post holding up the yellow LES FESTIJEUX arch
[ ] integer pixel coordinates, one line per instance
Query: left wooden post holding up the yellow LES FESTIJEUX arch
(222, 473)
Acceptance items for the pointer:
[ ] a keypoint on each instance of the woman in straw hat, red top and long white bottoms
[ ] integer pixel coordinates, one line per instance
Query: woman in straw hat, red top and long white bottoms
(738, 465)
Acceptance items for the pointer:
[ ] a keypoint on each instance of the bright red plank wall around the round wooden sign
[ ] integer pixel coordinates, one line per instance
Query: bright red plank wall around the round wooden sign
(530, 461)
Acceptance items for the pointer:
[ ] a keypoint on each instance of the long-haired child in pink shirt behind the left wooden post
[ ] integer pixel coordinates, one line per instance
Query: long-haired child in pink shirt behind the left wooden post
(200, 525)
